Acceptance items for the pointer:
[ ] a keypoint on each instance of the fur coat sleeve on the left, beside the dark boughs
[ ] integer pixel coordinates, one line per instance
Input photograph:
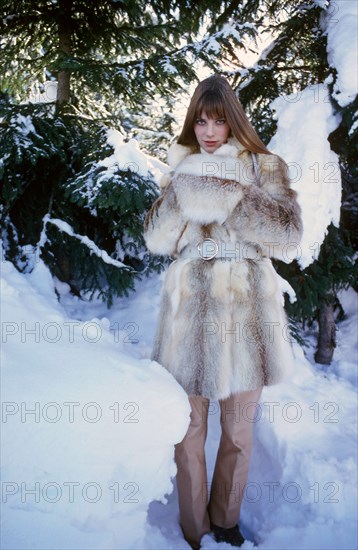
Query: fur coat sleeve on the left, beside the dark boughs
(164, 224)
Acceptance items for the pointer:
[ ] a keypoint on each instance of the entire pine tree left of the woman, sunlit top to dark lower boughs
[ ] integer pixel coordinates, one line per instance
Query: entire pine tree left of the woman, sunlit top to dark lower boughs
(108, 62)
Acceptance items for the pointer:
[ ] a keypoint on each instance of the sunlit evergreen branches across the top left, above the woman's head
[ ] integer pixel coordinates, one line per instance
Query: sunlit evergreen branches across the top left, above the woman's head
(136, 49)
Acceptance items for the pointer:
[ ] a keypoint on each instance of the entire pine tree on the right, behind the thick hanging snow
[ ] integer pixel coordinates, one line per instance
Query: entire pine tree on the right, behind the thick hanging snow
(295, 60)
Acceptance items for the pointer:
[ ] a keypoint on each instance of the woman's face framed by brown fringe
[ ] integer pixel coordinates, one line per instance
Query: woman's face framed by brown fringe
(211, 133)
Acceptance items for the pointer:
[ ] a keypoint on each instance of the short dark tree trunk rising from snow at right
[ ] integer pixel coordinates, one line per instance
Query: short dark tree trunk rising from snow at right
(326, 335)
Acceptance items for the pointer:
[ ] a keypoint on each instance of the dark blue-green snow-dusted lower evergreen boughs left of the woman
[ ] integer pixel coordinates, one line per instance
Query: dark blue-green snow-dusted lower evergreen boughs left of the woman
(53, 159)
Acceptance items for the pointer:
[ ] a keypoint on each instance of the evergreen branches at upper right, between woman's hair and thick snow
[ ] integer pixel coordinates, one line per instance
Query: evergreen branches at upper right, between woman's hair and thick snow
(295, 59)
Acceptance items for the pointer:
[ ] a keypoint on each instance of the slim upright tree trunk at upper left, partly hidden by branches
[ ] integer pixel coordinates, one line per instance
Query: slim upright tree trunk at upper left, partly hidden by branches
(64, 35)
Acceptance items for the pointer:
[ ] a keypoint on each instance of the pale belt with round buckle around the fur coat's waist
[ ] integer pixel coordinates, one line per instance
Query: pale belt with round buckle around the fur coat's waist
(209, 249)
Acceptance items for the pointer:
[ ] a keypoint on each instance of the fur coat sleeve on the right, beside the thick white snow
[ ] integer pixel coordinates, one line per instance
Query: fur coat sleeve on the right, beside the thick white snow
(268, 213)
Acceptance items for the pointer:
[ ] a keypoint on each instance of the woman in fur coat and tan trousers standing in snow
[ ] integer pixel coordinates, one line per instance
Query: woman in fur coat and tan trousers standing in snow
(225, 210)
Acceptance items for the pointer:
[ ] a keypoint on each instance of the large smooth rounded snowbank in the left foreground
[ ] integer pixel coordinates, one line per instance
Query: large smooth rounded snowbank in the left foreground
(88, 432)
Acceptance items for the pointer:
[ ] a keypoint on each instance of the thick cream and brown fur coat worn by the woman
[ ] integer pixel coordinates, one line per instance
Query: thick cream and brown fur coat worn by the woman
(222, 328)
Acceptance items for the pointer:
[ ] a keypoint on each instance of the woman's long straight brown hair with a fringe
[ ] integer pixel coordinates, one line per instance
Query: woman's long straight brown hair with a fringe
(215, 96)
